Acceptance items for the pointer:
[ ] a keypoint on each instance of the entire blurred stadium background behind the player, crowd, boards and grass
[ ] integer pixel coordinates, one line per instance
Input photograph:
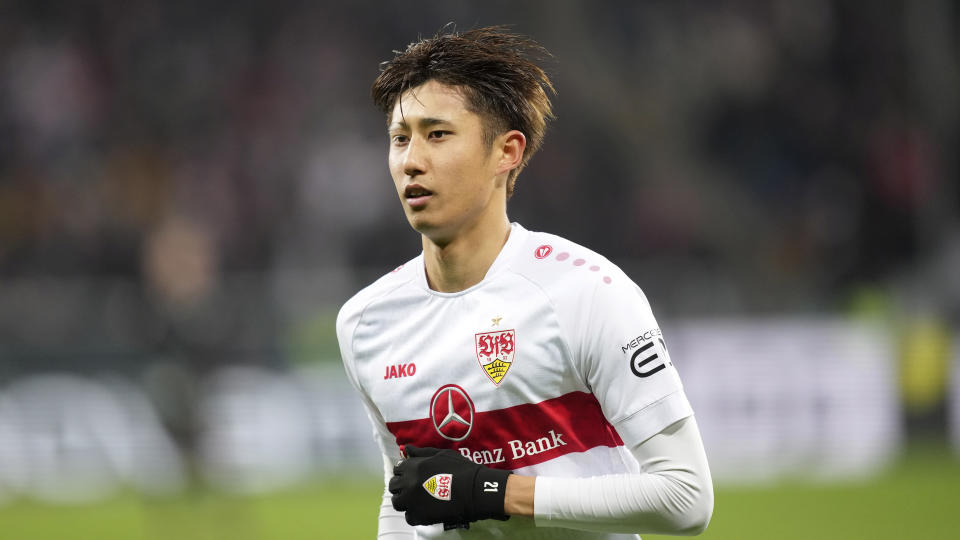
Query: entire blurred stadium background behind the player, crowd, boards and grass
(189, 191)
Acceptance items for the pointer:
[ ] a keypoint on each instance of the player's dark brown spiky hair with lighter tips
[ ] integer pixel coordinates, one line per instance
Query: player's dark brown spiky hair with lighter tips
(495, 70)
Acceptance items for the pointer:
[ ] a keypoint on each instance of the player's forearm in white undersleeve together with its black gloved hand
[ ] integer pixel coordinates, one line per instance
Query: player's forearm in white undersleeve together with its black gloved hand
(673, 493)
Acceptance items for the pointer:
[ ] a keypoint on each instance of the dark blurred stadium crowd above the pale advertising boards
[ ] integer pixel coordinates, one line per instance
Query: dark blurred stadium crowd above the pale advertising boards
(206, 182)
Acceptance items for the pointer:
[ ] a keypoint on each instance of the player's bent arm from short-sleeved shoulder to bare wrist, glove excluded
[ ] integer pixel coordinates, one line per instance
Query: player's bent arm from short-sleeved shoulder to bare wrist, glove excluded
(620, 352)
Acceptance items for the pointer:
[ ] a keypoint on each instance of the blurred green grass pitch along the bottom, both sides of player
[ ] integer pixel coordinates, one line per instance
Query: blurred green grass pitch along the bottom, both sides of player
(917, 499)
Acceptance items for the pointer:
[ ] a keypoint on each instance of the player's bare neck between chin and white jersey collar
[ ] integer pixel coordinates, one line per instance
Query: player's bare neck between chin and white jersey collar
(461, 263)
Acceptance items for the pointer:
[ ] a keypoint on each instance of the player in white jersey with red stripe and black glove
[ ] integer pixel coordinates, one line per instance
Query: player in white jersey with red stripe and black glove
(524, 376)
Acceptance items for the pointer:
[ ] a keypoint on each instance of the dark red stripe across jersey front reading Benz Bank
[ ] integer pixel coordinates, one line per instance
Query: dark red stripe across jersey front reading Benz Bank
(521, 435)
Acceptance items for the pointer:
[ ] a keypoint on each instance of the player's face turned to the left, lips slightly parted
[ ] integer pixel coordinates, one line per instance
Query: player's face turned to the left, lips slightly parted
(449, 181)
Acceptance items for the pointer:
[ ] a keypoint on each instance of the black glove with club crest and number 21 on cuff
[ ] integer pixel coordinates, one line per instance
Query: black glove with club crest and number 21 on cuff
(442, 486)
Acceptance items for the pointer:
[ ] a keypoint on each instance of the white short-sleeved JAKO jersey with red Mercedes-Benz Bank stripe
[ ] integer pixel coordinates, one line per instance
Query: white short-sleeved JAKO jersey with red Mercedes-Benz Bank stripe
(548, 366)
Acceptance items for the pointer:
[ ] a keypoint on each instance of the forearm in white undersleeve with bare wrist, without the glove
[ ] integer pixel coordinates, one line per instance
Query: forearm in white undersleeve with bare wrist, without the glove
(672, 495)
